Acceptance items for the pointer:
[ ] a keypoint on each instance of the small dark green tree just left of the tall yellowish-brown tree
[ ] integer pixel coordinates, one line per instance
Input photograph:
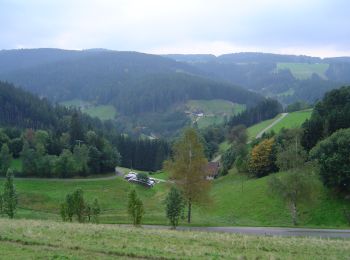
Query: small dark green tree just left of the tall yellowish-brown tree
(175, 205)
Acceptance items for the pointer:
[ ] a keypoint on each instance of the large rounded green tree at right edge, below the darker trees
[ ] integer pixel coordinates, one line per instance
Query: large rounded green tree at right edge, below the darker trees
(333, 158)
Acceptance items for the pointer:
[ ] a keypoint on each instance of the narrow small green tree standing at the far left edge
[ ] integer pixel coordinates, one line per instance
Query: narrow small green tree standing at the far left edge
(10, 195)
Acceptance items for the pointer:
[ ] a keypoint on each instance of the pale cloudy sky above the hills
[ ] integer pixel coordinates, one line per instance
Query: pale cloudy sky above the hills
(309, 27)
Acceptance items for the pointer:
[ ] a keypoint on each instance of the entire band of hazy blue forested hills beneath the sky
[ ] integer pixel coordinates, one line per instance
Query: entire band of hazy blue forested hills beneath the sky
(152, 91)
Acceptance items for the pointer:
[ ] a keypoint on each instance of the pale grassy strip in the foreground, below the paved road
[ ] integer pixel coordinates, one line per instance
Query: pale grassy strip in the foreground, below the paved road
(53, 240)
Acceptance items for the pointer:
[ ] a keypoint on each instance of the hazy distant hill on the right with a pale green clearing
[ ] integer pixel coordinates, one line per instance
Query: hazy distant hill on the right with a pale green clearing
(286, 77)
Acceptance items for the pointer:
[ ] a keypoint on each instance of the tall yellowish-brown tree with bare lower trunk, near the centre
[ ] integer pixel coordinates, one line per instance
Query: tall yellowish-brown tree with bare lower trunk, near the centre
(188, 169)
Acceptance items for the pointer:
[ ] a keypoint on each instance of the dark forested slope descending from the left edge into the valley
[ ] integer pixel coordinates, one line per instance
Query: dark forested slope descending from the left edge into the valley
(53, 141)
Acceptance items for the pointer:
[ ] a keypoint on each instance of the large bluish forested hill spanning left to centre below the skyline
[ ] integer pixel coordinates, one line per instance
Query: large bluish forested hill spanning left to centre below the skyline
(139, 86)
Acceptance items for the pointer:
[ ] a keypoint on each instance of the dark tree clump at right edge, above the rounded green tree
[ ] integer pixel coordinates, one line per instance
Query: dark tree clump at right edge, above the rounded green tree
(329, 115)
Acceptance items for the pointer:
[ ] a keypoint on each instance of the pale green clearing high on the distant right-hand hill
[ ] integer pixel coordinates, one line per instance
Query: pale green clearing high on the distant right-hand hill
(304, 70)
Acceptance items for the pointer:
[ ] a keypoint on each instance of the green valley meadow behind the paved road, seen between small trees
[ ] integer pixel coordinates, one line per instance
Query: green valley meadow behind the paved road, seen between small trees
(235, 200)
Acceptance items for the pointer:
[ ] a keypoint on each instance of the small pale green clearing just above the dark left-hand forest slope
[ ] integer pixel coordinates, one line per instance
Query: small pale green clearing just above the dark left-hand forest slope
(103, 112)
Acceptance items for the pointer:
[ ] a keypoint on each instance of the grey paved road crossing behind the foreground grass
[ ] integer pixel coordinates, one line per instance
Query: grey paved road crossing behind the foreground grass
(268, 231)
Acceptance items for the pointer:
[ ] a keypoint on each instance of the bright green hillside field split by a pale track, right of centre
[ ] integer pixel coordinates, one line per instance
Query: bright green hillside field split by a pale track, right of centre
(292, 120)
